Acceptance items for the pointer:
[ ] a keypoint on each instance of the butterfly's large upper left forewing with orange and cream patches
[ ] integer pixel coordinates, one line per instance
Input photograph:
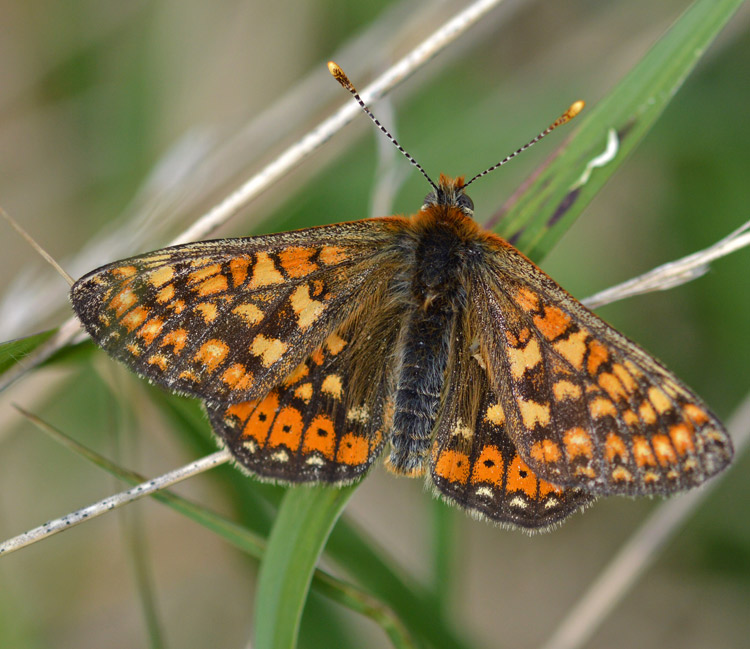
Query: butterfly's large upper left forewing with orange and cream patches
(227, 320)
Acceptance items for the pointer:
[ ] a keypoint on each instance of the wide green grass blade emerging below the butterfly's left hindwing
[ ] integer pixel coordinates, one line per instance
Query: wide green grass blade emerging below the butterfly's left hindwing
(304, 522)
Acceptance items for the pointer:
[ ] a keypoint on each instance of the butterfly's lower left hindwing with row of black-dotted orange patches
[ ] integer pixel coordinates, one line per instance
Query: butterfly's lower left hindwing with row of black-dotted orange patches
(325, 422)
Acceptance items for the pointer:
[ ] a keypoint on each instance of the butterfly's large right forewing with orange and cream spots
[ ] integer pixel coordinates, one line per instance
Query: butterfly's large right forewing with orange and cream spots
(585, 406)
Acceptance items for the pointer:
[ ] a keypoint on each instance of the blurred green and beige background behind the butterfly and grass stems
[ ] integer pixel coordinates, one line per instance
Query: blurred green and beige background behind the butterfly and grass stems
(120, 123)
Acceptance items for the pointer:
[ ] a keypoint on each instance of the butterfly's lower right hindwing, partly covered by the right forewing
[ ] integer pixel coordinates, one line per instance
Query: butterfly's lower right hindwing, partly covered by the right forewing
(475, 463)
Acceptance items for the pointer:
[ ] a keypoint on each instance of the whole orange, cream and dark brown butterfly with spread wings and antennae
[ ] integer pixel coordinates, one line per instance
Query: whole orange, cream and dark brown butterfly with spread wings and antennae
(425, 339)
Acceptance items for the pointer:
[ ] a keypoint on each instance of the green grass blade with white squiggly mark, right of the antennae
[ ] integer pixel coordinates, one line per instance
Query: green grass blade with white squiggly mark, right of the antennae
(605, 136)
